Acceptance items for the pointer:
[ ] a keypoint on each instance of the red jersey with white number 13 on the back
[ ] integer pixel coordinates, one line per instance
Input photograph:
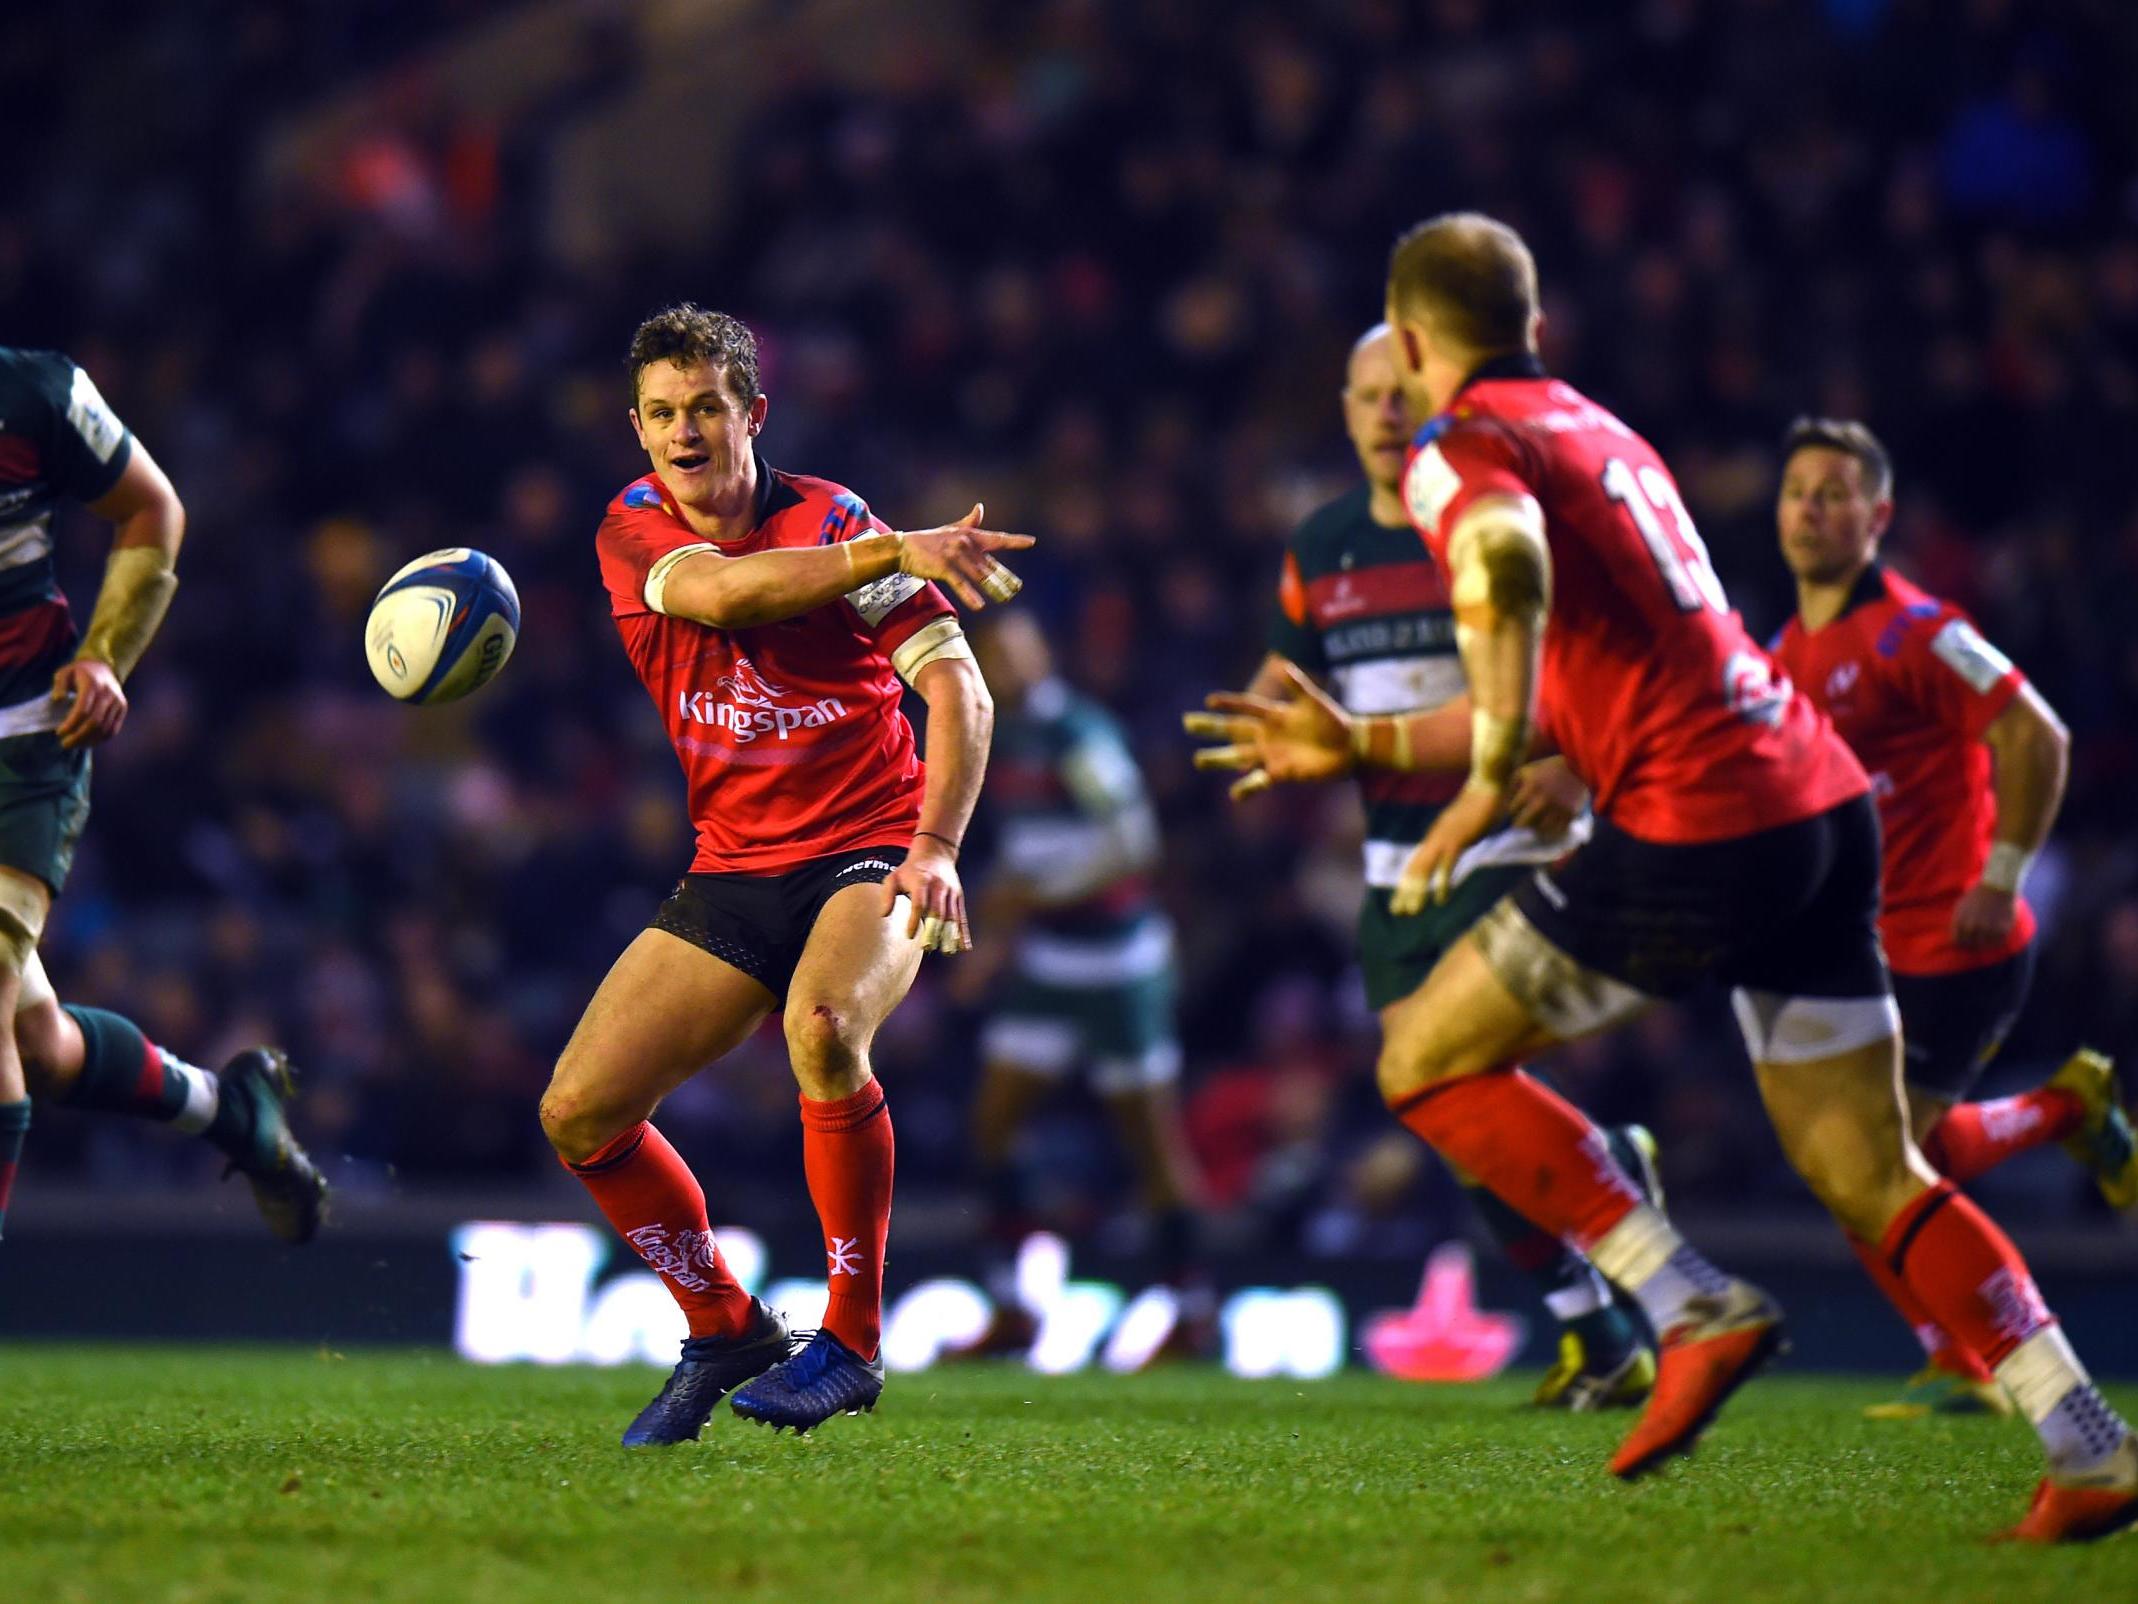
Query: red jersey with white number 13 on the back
(1654, 692)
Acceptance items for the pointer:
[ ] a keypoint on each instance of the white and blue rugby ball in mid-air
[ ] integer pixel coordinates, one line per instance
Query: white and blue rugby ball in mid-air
(441, 628)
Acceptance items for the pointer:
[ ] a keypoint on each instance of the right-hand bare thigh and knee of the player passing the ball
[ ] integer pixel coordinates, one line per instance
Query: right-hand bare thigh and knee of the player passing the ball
(856, 968)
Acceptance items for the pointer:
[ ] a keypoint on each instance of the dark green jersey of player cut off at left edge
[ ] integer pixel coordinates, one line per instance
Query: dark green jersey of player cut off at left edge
(59, 442)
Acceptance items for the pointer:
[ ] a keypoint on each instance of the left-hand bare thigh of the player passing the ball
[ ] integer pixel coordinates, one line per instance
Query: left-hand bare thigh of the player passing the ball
(662, 1015)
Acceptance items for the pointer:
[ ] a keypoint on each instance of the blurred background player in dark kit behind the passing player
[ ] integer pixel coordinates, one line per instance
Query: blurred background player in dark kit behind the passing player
(1087, 976)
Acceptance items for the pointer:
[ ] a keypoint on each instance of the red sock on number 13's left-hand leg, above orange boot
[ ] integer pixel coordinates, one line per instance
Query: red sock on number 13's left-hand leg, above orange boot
(1530, 1147)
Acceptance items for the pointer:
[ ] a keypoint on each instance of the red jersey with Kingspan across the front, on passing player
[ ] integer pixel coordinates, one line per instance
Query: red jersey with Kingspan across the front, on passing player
(790, 735)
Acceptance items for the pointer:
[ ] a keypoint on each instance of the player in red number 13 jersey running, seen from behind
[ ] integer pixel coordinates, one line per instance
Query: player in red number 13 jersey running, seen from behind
(1735, 842)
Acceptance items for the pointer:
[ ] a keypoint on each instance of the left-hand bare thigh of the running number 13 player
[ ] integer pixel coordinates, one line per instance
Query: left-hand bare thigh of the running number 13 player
(1502, 993)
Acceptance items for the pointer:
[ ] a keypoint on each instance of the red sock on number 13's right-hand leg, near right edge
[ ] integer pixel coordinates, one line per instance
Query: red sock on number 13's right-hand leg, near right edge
(1966, 1274)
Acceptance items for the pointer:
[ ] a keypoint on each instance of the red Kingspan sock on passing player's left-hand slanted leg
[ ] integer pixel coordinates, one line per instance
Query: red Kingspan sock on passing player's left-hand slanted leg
(647, 1190)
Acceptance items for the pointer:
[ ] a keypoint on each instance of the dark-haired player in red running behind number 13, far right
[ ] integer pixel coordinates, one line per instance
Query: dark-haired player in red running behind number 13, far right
(1968, 767)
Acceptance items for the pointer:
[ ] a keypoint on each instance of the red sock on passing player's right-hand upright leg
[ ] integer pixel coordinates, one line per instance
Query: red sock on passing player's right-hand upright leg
(848, 1160)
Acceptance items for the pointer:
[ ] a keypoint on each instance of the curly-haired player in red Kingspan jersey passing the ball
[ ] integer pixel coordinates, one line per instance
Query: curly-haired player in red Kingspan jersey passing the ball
(773, 619)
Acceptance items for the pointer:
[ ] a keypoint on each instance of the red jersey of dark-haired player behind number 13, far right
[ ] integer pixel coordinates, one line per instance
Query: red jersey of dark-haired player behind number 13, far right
(1910, 685)
